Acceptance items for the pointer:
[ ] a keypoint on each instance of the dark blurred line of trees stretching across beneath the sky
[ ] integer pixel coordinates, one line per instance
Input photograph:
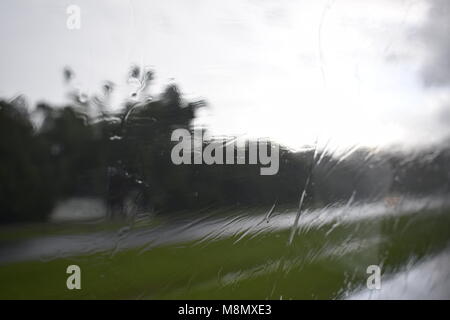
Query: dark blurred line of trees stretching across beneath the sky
(83, 149)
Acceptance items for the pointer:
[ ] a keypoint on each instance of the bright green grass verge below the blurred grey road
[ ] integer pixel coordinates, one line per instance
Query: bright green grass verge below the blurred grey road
(318, 265)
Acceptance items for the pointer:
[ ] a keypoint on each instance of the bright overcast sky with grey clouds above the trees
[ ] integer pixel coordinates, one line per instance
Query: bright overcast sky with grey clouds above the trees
(370, 72)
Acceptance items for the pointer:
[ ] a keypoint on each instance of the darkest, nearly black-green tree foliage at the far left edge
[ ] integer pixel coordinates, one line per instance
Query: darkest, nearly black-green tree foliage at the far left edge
(26, 189)
